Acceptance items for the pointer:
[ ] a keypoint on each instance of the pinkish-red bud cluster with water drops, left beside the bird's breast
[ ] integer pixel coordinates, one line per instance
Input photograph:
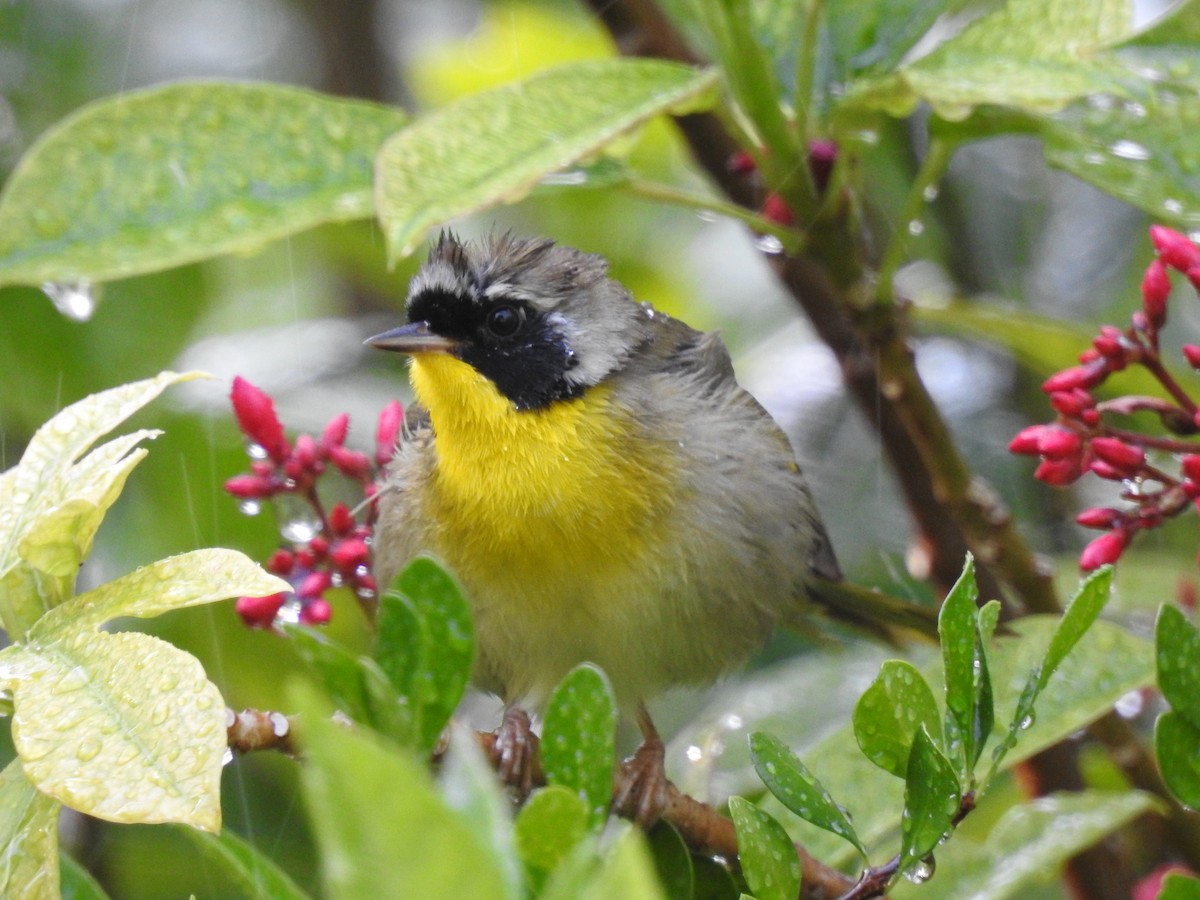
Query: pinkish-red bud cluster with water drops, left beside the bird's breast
(329, 549)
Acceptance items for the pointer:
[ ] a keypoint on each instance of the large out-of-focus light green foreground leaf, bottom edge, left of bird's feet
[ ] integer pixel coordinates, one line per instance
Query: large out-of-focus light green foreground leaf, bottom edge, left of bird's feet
(381, 825)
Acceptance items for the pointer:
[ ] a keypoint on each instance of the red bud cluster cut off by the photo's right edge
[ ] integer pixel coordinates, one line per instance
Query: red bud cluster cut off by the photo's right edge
(1083, 440)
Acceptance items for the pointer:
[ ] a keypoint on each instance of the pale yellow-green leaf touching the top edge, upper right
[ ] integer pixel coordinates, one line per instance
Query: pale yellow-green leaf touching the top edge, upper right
(1036, 56)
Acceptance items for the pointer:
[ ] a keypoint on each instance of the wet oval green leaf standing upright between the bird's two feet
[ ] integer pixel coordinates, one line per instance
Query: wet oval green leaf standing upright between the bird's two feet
(578, 741)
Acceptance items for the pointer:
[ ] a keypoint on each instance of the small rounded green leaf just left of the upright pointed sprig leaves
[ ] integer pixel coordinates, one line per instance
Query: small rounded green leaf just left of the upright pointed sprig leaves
(890, 715)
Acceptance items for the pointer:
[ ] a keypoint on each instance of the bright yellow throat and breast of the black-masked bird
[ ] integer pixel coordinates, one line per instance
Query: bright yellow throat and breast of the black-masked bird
(537, 503)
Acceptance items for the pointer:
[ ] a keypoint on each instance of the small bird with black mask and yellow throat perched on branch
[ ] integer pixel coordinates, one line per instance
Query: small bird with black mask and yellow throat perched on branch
(596, 478)
